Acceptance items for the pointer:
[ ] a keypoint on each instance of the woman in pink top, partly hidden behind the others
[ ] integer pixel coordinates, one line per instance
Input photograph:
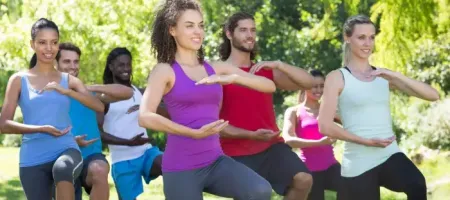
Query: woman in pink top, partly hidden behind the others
(301, 130)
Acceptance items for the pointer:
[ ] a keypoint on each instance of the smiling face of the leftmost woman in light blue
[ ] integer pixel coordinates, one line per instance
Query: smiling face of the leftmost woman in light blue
(46, 45)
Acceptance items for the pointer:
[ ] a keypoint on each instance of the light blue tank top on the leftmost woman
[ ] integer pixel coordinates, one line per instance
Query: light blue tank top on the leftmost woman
(47, 108)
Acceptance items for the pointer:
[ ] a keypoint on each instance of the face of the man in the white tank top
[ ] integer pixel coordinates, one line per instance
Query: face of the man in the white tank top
(121, 67)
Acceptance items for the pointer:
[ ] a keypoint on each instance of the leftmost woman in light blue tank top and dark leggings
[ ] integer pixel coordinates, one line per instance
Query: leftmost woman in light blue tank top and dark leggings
(49, 154)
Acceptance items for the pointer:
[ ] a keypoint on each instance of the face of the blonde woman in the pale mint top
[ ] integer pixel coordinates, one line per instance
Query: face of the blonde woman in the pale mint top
(362, 40)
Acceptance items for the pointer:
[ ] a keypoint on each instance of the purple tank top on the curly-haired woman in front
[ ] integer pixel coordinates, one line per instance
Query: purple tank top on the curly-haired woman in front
(192, 106)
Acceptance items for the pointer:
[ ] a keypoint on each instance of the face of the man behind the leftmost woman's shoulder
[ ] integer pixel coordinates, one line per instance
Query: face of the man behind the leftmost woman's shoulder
(69, 62)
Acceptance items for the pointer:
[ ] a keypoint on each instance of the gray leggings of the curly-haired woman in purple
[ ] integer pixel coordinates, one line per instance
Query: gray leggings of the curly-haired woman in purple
(225, 177)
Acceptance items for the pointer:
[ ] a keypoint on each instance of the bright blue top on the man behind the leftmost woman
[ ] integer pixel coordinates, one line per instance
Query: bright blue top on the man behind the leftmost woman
(84, 122)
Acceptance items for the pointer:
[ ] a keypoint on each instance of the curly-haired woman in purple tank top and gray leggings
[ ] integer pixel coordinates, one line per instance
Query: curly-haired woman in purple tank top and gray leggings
(191, 89)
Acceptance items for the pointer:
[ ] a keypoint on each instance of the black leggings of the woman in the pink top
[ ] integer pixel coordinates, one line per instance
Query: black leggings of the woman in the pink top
(329, 179)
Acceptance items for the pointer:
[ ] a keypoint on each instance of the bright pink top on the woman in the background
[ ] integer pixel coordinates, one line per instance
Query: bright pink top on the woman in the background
(317, 158)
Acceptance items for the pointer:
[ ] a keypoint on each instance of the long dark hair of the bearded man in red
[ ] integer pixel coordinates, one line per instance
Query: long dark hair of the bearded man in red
(230, 25)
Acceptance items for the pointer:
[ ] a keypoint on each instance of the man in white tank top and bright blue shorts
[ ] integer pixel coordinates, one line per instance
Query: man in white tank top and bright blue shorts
(132, 156)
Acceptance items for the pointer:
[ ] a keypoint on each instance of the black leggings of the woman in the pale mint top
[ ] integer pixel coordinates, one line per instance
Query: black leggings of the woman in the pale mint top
(398, 174)
